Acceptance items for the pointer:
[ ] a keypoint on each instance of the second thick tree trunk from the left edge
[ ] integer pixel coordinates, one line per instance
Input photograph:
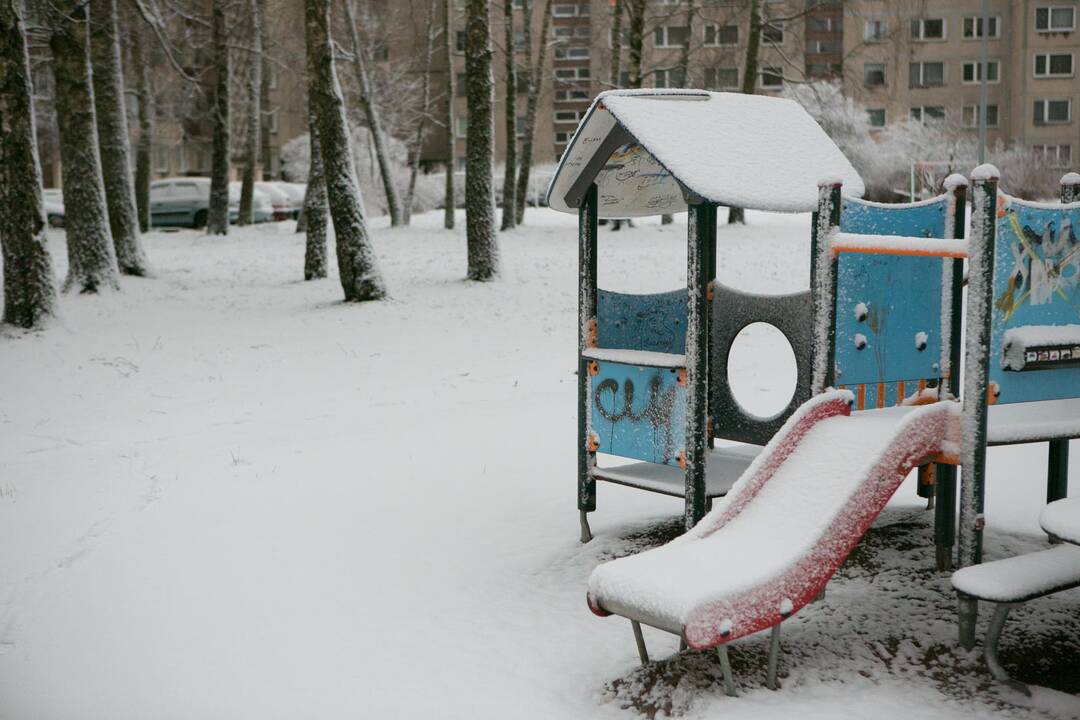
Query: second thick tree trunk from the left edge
(92, 260)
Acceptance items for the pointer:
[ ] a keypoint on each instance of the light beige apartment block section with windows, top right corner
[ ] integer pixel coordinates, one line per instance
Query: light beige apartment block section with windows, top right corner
(923, 60)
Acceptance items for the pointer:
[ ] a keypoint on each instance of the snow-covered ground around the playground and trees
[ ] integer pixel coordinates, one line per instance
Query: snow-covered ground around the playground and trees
(224, 494)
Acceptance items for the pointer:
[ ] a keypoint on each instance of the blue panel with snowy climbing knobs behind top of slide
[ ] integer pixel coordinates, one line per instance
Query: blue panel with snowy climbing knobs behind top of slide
(889, 308)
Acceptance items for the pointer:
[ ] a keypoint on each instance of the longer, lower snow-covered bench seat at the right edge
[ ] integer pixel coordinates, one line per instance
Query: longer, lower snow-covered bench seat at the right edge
(1022, 578)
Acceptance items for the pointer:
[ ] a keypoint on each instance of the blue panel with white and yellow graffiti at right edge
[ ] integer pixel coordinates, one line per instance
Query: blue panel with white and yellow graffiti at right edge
(1036, 282)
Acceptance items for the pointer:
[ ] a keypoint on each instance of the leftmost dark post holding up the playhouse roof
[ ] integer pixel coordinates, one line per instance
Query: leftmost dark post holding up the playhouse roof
(587, 331)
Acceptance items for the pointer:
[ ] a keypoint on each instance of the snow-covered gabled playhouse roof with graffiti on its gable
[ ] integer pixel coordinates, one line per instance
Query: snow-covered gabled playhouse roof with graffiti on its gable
(728, 148)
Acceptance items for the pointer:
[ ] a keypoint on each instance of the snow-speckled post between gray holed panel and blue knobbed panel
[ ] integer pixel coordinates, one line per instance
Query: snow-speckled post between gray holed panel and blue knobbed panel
(823, 286)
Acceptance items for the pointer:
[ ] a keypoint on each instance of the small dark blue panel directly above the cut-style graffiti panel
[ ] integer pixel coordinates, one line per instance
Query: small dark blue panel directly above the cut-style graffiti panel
(642, 322)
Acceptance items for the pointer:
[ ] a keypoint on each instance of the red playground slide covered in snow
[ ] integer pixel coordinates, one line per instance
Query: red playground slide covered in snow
(773, 544)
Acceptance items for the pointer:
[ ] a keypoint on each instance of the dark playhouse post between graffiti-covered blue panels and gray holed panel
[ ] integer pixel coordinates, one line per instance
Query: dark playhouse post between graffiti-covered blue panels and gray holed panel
(701, 218)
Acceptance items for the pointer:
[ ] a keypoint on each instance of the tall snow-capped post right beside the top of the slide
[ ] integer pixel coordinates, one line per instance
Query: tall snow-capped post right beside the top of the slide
(977, 382)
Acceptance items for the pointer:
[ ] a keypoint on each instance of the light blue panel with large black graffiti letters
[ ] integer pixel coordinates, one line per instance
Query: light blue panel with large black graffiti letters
(639, 413)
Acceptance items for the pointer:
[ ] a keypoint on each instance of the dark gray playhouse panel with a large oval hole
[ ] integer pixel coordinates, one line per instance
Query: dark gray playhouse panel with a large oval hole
(733, 311)
